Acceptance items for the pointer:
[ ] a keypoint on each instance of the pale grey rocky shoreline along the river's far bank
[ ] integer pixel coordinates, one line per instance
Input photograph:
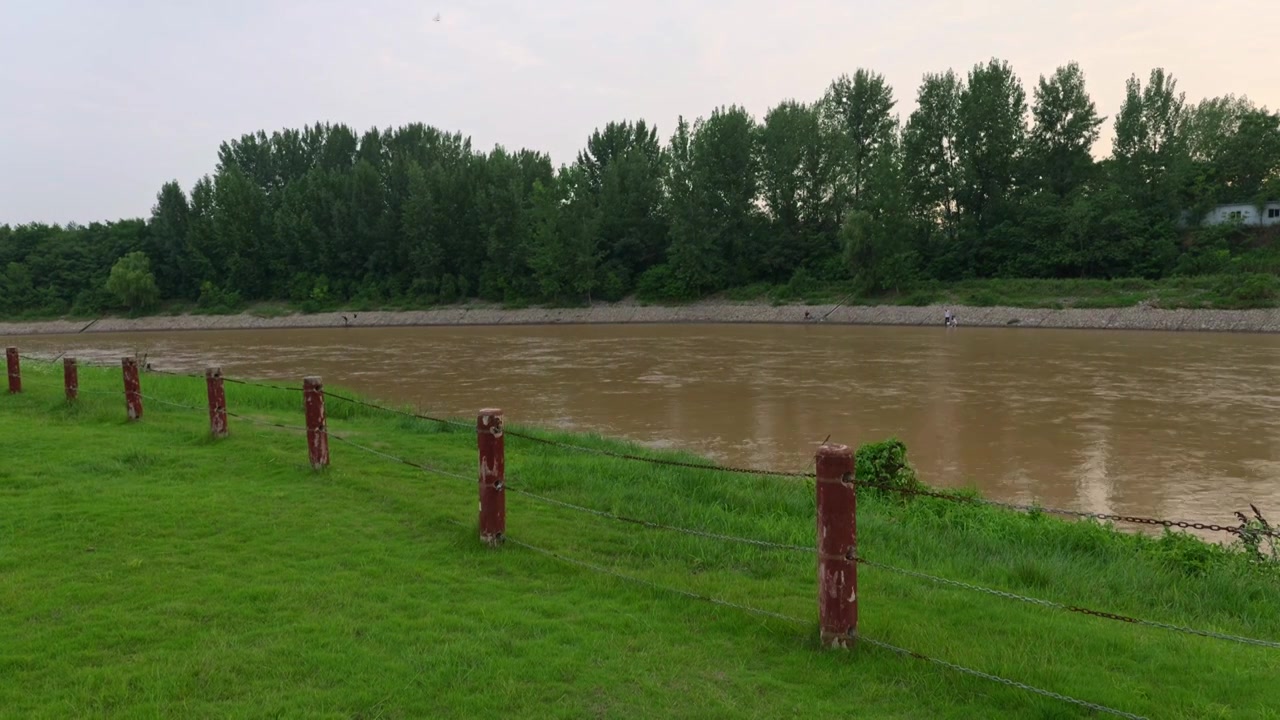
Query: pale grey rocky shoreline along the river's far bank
(1139, 318)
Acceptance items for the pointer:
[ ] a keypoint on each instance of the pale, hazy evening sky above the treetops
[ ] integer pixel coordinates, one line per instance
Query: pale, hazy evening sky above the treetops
(103, 102)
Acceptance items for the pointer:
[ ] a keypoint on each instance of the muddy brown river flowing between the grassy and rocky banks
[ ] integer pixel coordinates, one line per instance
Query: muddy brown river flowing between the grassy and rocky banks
(1182, 426)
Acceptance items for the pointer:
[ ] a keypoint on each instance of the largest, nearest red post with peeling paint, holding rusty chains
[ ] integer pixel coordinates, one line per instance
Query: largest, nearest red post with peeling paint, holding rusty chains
(838, 546)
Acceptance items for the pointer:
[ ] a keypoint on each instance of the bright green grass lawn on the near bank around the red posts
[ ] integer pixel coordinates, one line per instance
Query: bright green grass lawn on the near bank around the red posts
(150, 572)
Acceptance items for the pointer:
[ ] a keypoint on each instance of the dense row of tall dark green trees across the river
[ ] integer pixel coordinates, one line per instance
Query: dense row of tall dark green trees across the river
(984, 180)
